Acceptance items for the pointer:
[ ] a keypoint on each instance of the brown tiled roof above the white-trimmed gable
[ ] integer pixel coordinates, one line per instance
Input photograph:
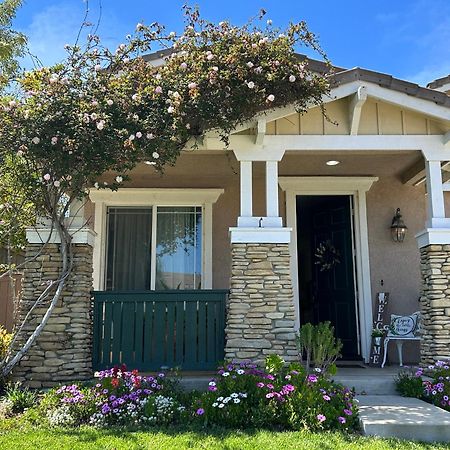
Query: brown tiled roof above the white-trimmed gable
(340, 76)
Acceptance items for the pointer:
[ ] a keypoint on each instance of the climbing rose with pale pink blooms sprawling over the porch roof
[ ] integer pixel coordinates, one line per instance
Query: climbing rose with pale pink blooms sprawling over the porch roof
(104, 111)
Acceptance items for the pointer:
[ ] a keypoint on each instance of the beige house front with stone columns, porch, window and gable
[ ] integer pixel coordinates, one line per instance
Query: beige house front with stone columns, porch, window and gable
(232, 249)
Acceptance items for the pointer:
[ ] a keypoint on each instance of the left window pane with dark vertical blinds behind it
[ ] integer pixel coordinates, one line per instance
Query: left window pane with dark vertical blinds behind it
(129, 249)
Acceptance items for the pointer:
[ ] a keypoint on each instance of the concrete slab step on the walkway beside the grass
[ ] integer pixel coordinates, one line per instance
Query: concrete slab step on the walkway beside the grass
(403, 418)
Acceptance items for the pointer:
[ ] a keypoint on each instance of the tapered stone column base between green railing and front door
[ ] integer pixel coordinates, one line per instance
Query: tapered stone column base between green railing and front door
(260, 313)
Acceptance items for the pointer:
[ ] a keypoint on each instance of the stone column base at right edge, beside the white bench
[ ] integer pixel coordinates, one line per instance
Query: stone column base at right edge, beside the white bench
(435, 303)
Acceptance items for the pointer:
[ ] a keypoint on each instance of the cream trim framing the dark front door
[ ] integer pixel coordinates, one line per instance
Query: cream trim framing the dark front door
(356, 187)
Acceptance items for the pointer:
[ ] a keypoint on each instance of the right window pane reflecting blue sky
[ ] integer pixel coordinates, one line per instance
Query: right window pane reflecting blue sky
(178, 248)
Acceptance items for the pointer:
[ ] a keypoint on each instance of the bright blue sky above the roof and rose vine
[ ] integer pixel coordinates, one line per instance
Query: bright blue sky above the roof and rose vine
(409, 39)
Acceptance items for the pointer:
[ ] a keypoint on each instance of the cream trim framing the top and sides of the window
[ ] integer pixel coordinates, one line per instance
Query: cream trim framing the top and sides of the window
(149, 197)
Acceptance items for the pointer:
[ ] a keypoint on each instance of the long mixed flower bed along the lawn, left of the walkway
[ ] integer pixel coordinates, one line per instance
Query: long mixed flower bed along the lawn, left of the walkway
(241, 395)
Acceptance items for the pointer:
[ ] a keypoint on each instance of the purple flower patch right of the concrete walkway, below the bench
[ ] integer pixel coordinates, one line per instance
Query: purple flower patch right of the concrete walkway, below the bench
(431, 384)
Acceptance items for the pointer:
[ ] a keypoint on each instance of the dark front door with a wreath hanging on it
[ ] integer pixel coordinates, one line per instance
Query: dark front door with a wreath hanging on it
(326, 266)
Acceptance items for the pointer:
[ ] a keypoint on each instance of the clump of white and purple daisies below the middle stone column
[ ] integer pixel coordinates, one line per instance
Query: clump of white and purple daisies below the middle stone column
(244, 396)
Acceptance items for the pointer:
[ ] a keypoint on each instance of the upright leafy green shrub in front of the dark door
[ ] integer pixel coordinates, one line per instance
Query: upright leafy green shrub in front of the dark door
(318, 345)
